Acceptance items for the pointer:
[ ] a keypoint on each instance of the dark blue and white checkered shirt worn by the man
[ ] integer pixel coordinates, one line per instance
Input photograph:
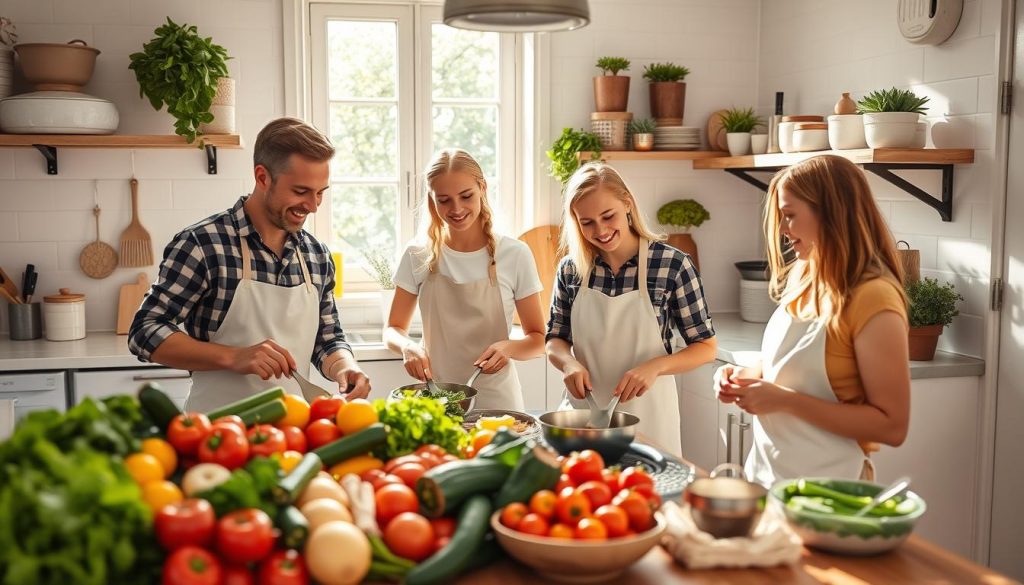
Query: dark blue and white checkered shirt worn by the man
(201, 270)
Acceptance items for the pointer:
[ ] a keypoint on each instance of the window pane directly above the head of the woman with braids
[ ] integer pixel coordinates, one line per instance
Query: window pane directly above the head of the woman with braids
(474, 130)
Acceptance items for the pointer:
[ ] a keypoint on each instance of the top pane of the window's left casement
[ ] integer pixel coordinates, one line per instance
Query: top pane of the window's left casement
(362, 59)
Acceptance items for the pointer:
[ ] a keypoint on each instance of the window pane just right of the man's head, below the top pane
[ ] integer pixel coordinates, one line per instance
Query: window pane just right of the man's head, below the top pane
(366, 141)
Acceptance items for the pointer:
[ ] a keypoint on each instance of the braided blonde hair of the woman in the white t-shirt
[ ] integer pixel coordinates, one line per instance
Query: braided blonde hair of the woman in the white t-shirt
(447, 161)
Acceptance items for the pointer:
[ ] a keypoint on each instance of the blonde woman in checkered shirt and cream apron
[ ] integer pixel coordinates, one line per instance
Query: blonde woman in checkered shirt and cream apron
(621, 297)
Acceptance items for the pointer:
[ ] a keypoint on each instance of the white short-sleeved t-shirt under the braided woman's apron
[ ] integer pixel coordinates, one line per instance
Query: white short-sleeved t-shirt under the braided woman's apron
(518, 276)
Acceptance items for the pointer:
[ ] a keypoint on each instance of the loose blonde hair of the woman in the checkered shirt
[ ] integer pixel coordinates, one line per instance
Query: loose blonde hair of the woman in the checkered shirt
(584, 182)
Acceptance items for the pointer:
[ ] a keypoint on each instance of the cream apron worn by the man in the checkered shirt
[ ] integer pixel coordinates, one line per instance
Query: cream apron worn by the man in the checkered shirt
(290, 316)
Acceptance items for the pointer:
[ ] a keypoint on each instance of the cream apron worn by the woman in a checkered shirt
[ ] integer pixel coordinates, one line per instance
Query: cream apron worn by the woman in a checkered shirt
(614, 335)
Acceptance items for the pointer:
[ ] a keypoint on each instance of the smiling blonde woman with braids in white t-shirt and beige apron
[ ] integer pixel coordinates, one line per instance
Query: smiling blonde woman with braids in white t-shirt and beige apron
(467, 281)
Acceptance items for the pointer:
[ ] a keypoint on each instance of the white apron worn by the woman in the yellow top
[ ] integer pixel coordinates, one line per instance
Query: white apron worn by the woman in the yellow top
(794, 356)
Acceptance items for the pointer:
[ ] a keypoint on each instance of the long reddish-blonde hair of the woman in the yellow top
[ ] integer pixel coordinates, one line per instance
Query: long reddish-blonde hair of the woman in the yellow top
(855, 243)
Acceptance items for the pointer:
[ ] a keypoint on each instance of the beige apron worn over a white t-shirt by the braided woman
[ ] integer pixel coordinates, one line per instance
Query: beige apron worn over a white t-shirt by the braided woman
(460, 321)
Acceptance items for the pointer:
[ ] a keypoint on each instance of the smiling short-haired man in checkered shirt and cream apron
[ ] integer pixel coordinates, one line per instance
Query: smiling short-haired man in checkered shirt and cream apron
(245, 298)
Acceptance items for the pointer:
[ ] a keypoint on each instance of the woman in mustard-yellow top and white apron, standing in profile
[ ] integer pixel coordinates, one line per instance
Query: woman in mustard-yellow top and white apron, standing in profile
(834, 377)
